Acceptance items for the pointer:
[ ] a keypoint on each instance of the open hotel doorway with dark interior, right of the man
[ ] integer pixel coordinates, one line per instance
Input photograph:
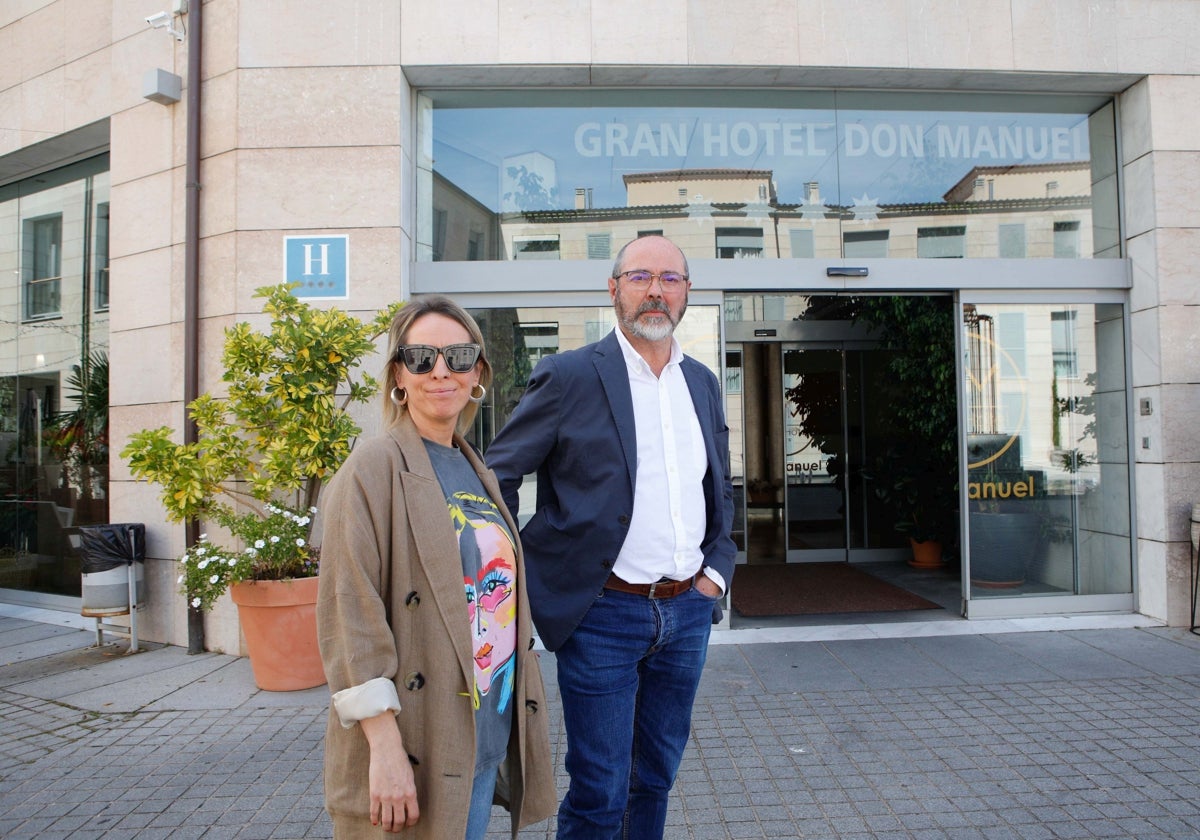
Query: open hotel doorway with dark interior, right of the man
(813, 441)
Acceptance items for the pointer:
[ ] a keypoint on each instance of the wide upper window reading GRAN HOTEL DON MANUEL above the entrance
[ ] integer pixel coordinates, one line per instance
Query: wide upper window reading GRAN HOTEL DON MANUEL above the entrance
(807, 172)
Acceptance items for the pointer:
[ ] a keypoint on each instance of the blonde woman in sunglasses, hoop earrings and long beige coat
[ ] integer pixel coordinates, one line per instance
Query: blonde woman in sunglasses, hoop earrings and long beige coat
(423, 616)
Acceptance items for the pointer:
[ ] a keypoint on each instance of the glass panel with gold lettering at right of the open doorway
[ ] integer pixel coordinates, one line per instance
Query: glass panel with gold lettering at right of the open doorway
(1047, 451)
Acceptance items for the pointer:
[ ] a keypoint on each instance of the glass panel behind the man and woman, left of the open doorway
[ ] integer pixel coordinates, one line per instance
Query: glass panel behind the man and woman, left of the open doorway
(517, 338)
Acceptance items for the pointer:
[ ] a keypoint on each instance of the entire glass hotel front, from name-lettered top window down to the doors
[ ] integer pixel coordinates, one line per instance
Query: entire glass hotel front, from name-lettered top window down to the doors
(820, 421)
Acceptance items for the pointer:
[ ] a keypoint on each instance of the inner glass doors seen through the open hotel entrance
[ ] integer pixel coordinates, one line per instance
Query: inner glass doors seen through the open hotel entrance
(805, 443)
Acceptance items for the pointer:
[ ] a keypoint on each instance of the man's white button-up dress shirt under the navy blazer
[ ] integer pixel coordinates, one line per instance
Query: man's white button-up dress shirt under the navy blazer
(670, 517)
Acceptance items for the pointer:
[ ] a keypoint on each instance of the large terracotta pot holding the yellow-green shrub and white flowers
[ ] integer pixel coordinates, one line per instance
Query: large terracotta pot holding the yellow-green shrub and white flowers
(280, 622)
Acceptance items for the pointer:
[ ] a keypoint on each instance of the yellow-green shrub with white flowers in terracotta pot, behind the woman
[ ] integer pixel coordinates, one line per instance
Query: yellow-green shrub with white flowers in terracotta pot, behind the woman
(261, 457)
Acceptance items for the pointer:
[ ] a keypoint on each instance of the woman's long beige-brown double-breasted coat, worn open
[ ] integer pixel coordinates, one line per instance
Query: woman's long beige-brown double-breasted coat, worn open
(392, 605)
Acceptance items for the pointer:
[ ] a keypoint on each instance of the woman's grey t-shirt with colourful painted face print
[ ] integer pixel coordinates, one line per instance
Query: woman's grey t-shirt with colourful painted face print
(489, 577)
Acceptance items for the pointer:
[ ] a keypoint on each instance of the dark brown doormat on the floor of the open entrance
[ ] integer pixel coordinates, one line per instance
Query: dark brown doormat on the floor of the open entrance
(811, 589)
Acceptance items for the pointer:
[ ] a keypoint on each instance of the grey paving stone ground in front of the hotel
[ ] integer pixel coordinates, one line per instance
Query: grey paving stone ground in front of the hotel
(1066, 734)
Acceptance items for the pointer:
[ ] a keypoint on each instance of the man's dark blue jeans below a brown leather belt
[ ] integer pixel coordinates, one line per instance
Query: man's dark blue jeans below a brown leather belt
(628, 677)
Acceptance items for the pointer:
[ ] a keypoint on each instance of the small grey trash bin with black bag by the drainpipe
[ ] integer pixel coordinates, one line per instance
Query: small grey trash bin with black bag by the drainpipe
(113, 562)
